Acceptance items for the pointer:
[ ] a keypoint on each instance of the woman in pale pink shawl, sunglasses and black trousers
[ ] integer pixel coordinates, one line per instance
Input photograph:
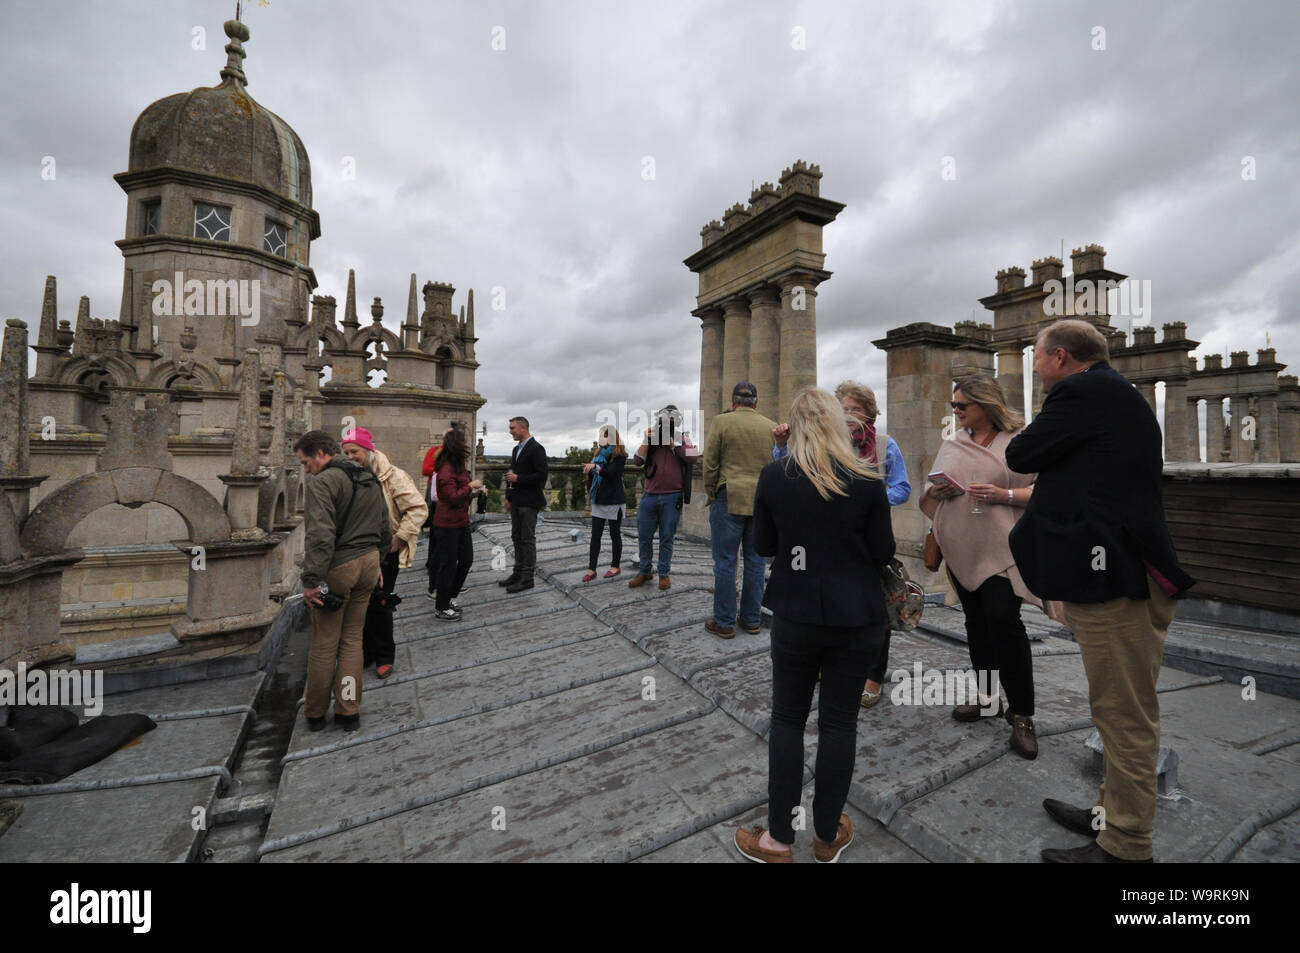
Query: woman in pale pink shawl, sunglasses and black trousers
(973, 513)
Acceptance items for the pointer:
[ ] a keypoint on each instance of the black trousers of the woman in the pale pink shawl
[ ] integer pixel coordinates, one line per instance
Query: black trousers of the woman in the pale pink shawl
(998, 640)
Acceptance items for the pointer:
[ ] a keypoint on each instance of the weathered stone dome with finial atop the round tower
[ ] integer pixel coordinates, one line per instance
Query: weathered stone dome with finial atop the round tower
(222, 131)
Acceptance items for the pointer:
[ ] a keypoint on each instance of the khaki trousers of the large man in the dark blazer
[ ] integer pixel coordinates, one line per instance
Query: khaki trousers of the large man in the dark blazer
(1123, 643)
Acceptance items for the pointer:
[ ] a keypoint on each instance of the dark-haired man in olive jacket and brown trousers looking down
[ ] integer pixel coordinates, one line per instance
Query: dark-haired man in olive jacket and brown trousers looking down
(348, 529)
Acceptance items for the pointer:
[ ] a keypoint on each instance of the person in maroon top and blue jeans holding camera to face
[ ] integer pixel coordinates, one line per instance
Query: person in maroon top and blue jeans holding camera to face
(668, 471)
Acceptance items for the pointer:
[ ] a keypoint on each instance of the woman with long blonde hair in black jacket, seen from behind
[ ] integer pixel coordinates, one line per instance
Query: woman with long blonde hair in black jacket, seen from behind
(824, 514)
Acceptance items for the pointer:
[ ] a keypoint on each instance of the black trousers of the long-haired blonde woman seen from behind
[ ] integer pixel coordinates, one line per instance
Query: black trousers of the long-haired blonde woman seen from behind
(799, 653)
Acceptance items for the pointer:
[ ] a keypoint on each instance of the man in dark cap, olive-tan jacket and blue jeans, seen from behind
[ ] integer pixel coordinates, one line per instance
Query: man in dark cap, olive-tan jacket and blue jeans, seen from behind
(736, 450)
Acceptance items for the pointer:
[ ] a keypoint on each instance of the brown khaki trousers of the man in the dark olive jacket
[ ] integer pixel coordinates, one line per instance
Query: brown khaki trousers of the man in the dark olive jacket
(336, 660)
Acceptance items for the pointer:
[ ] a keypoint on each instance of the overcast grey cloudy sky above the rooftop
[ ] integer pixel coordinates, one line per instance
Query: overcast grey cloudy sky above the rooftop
(522, 168)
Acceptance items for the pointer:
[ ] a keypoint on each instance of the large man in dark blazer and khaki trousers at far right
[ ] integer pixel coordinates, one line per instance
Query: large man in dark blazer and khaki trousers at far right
(1095, 538)
